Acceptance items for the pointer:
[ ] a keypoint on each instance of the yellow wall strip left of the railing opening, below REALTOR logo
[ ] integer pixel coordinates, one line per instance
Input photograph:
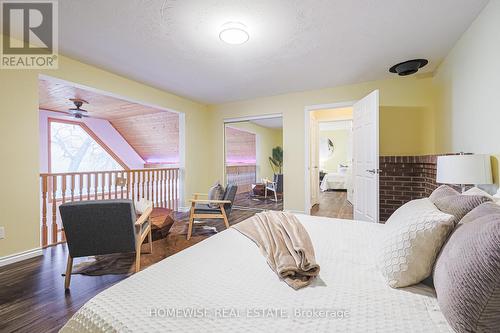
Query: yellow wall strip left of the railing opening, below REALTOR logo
(19, 200)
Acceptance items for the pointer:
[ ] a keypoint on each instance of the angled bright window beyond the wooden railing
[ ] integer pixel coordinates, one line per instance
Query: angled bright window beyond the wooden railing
(74, 148)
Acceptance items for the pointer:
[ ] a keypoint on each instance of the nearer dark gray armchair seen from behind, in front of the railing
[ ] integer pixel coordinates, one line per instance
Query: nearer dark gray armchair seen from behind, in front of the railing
(99, 227)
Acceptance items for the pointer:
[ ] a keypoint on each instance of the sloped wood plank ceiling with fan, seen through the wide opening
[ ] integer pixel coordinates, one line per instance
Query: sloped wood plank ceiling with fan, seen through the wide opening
(152, 132)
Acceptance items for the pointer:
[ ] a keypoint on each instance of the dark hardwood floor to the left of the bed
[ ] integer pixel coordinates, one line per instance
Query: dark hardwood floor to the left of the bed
(32, 296)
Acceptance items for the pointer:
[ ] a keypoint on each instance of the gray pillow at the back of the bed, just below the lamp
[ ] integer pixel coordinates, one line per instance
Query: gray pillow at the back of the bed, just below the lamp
(459, 205)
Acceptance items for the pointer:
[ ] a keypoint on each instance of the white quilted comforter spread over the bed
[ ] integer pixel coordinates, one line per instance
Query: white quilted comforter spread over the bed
(223, 284)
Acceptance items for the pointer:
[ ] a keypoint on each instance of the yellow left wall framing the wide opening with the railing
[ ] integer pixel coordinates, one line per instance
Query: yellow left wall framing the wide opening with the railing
(19, 145)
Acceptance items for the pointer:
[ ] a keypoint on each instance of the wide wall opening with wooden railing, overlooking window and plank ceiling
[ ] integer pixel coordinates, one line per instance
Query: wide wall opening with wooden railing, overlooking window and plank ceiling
(98, 146)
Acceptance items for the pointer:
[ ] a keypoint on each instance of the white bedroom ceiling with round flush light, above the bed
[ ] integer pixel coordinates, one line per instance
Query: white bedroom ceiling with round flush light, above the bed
(294, 45)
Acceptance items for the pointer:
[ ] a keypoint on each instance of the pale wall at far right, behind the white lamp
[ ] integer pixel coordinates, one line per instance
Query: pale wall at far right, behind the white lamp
(468, 82)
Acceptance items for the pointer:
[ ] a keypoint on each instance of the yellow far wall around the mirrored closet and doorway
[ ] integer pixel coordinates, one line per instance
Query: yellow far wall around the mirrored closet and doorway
(413, 96)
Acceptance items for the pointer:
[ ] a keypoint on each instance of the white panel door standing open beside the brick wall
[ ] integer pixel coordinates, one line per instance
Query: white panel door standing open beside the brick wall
(365, 158)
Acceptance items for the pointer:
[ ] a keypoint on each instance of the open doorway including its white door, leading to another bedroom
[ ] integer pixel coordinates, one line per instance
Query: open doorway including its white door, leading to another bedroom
(358, 178)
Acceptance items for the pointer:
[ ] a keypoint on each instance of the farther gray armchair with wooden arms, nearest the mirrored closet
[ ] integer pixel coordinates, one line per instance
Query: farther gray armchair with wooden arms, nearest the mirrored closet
(201, 209)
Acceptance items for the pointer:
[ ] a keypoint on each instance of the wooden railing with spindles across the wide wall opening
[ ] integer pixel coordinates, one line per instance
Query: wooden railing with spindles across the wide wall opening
(161, 186)
